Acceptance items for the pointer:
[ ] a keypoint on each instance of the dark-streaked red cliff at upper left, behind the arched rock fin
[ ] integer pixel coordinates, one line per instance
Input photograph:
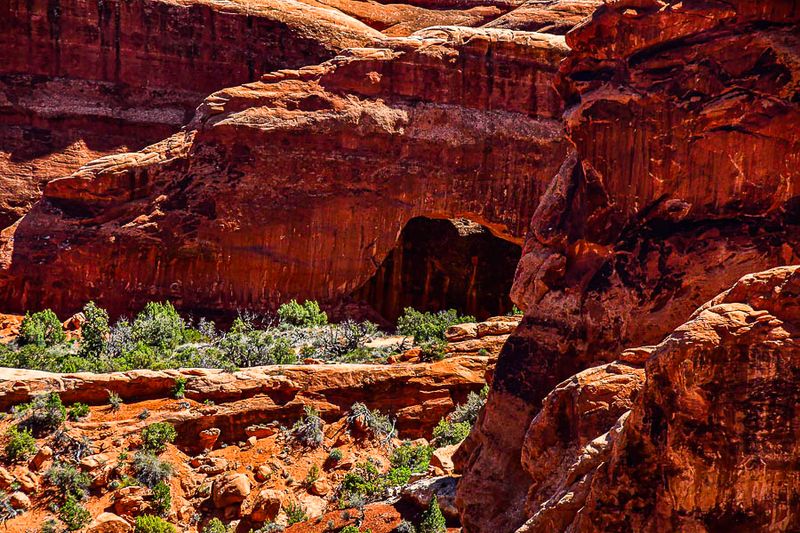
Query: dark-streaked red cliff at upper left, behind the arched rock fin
(83, 79)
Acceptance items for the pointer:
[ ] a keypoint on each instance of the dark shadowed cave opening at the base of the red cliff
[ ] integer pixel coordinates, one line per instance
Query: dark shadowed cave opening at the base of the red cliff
(442, 264)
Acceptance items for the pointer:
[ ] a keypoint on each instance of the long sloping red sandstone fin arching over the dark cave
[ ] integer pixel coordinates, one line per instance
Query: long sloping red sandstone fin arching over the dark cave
(233, 214)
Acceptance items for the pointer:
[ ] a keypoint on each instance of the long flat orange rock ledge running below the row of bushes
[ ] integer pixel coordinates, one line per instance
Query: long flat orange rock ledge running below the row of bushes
(419, 395)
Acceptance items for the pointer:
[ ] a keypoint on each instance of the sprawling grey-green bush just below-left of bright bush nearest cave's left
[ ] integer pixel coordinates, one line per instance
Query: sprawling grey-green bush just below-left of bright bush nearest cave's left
(245, 346)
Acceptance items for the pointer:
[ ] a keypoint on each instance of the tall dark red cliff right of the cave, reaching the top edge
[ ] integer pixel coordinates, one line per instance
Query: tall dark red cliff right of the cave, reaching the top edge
(683, 179)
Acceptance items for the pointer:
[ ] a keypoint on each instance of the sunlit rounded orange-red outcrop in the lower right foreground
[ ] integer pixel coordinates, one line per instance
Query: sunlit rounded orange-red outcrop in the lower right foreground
(707, 442)
